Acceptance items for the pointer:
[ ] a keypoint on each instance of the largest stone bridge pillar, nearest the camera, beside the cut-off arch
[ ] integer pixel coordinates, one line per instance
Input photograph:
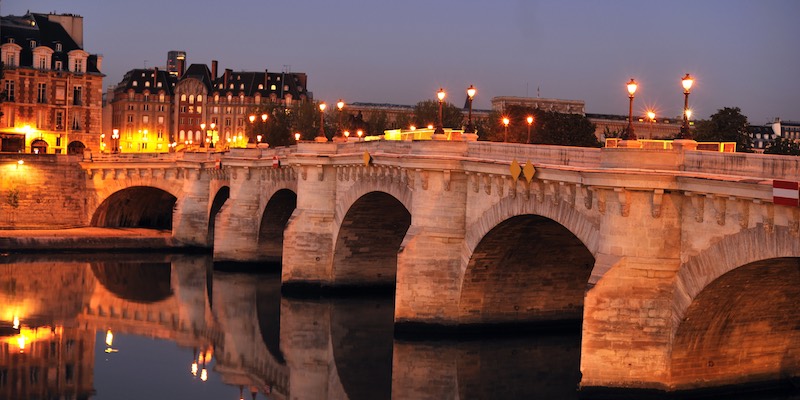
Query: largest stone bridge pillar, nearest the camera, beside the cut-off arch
(627, 322)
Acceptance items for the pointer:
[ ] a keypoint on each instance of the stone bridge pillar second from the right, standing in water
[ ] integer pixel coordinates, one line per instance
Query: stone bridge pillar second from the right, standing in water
(429, 264)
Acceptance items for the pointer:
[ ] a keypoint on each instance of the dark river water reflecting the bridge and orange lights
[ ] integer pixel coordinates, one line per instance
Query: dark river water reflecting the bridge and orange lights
(110, 326)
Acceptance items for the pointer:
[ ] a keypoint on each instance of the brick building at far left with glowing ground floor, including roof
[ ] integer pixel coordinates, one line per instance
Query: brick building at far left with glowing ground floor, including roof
(53, 87)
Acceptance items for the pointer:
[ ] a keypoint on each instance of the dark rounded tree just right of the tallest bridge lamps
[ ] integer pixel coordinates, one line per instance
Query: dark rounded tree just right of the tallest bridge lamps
(727, 125)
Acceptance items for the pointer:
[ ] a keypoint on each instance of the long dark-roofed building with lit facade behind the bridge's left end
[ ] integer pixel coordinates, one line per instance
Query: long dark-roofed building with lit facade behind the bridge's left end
(197, 107)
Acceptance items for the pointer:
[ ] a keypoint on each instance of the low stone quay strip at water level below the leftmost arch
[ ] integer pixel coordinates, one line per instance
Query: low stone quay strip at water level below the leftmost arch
(88, 238)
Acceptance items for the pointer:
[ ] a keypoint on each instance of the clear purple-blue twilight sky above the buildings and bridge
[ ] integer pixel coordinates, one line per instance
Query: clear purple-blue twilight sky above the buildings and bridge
(742, 53)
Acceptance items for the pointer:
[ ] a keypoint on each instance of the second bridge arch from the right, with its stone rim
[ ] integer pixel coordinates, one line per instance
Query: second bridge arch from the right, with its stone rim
(500, 282)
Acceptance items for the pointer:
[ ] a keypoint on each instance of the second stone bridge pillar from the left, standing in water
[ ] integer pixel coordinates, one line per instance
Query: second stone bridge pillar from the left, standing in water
(237, 224)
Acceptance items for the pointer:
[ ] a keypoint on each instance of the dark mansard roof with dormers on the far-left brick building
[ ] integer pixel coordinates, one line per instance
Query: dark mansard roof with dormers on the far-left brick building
(38, 27)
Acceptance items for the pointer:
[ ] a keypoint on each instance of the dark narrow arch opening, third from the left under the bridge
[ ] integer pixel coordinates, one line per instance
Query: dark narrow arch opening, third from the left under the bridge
(273, 222)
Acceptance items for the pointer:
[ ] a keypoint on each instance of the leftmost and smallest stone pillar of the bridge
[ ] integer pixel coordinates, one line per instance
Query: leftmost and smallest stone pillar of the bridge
(190, 217)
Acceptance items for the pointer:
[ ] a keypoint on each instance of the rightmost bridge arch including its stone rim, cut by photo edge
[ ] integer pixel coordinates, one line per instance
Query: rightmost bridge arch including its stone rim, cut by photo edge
(735, 313)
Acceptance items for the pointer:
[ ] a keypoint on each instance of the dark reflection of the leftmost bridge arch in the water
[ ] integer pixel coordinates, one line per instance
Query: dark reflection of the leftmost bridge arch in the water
(136, 282)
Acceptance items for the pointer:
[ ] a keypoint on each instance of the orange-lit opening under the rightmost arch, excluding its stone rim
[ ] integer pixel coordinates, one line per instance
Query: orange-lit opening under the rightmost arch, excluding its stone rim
(743, 327)
